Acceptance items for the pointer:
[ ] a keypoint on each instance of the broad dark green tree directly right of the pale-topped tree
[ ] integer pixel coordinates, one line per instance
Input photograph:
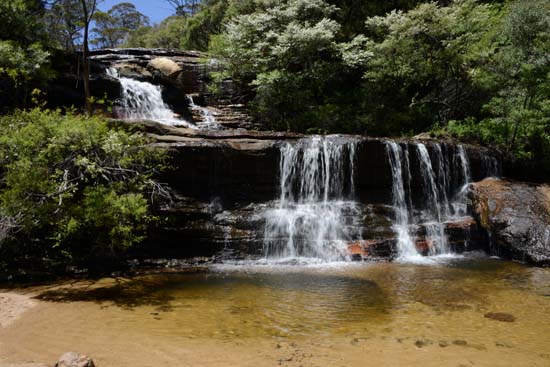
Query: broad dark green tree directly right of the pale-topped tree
(420, 72)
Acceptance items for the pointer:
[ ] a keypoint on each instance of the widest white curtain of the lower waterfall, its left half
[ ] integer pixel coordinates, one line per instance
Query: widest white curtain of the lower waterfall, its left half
(316, 215)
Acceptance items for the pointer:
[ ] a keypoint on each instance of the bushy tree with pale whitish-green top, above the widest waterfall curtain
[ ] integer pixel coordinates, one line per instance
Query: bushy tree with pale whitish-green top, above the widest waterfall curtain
(287, 51)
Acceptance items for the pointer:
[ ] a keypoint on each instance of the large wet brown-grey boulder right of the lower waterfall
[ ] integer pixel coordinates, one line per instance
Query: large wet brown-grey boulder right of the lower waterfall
(517, 217)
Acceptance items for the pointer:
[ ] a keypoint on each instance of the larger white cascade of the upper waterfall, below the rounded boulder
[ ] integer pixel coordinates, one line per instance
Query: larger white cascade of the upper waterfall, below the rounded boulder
(142, 100)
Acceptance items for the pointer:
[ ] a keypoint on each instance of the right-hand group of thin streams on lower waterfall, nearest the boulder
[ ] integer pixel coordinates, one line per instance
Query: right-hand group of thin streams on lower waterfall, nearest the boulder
(443, 190)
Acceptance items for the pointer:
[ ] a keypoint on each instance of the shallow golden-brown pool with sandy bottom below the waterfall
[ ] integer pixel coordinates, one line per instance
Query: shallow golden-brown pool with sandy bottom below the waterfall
(331, 315)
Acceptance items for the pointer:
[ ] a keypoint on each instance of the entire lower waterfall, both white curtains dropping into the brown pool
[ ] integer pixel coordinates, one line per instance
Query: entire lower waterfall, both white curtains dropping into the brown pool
(319, 216)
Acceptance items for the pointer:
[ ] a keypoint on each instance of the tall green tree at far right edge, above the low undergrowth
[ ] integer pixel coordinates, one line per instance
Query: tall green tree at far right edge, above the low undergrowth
(522, 69)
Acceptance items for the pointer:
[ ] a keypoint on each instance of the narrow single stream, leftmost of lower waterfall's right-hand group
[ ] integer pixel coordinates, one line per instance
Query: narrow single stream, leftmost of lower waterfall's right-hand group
(397, 158)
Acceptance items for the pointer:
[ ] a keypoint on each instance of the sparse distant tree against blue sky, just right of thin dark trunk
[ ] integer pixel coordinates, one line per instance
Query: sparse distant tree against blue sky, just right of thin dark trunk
(113, 27)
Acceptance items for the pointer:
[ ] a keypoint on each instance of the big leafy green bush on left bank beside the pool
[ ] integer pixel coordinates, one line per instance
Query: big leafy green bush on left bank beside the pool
(73, 188)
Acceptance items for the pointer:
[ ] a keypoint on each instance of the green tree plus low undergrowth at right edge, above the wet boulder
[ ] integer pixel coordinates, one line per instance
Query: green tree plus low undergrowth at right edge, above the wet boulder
(517, 116)
